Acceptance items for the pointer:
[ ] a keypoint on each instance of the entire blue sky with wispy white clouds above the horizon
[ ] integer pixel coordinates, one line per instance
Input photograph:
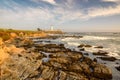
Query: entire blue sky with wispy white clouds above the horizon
(67, 15)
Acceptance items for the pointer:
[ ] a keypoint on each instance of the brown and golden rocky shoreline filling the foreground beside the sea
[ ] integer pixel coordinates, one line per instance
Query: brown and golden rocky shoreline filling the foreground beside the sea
(24, 60)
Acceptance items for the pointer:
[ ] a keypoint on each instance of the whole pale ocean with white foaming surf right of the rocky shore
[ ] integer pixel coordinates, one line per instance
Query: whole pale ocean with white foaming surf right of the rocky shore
(109, 40)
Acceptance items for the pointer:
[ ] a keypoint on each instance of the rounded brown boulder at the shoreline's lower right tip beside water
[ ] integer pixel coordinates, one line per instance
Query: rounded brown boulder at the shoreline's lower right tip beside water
(102, 72)
